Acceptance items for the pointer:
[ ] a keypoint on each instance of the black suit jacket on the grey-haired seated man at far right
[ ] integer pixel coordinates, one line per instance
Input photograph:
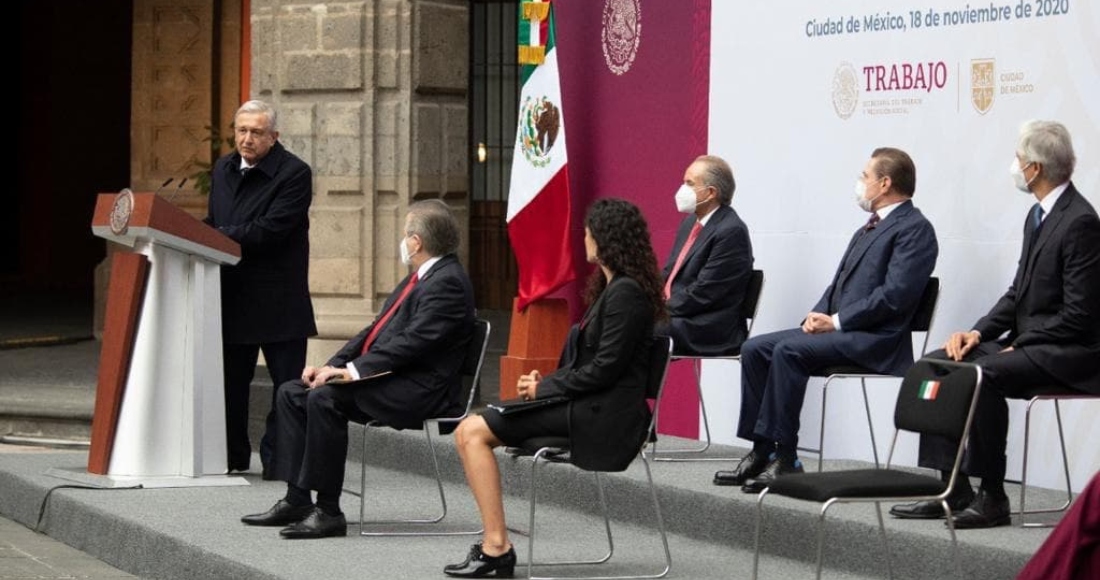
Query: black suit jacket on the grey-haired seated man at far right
(1052, 310)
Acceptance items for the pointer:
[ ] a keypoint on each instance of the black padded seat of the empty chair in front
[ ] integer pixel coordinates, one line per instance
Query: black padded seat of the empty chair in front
(856, 484)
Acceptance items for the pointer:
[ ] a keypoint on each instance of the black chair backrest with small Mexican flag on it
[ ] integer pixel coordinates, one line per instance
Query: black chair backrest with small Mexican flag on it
(938, 398)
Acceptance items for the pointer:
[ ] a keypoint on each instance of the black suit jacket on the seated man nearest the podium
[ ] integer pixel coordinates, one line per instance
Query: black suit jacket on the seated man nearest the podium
(423, 346)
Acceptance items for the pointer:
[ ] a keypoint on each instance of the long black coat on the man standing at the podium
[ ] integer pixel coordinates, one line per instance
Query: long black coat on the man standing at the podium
(266, 297)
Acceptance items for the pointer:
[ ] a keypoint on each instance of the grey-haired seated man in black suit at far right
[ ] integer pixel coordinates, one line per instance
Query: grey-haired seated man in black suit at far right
(1044, 332)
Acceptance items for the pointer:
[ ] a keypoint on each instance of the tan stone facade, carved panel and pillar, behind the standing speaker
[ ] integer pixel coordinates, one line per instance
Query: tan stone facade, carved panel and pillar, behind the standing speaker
(371, 94)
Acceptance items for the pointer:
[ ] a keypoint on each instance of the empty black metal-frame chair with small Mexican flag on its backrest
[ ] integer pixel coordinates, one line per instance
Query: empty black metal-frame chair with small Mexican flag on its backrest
(947, 409)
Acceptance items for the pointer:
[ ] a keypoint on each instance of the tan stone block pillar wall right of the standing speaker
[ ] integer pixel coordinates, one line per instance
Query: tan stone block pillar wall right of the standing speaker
(372, 95)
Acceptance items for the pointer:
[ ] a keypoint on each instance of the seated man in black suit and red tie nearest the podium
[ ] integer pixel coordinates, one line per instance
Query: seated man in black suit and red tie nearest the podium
(404, 368)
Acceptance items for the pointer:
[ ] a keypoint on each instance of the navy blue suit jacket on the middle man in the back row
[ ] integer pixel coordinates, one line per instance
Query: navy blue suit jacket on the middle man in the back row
(877, 288)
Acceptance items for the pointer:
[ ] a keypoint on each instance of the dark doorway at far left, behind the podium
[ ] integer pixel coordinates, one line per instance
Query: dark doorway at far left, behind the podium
(73, 144)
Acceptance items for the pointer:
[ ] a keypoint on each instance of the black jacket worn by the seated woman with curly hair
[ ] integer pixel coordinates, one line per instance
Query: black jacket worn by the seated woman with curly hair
(604, 373)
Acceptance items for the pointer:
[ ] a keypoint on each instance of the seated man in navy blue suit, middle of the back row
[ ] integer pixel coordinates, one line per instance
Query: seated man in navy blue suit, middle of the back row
(862, 320)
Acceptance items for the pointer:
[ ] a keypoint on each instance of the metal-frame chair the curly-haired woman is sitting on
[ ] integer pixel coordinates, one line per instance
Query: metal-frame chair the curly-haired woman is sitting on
(556, 451)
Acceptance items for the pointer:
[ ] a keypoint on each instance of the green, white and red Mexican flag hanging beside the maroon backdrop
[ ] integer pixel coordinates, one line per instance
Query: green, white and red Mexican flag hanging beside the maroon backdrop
(538, 201)
